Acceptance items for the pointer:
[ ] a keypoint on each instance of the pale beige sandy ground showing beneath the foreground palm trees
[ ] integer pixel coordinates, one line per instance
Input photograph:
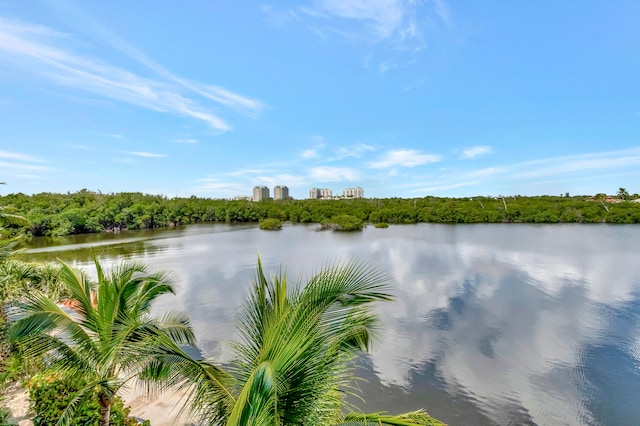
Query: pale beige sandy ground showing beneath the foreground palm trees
(161, 410)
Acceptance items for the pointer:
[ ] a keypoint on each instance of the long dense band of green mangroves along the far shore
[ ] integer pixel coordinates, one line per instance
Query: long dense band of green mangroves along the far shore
(86, 212)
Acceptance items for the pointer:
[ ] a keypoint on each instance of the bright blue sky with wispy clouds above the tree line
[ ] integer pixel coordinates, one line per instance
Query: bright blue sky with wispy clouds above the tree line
(403, 98)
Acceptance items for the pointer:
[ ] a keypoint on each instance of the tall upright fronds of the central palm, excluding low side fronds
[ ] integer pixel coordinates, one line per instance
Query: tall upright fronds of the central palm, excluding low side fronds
(297, 346)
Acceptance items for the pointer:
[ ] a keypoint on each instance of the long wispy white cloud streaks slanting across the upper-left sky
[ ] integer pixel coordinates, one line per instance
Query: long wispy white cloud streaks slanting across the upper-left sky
(40, 52)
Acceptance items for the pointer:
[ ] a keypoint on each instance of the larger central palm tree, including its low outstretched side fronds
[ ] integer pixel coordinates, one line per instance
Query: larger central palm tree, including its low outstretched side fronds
(295, 355)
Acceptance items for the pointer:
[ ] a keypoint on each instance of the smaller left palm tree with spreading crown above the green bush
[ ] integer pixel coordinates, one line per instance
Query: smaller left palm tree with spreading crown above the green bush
(108, 335)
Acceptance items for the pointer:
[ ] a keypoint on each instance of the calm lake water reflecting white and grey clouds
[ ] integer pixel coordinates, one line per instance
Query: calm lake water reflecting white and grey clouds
(492, 324)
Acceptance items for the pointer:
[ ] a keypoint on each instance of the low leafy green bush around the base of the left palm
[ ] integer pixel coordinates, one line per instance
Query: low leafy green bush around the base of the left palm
(51, 393)
